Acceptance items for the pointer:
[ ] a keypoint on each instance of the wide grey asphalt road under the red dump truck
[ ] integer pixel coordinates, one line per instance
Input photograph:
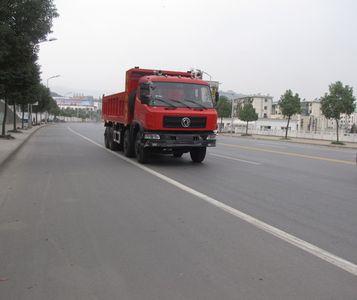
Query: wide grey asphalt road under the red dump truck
(80, 222)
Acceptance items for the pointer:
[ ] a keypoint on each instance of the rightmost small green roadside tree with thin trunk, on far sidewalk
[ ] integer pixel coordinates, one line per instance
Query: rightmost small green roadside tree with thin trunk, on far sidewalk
(339, 100)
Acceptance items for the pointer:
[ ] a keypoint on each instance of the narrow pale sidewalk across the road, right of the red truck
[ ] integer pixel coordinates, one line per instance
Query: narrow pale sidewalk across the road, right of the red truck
(294, 140)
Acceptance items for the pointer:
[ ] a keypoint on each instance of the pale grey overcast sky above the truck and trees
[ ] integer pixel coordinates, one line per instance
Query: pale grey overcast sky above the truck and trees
(250, 46)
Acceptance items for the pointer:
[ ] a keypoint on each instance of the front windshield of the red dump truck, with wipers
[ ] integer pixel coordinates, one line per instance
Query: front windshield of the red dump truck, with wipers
(180, 95)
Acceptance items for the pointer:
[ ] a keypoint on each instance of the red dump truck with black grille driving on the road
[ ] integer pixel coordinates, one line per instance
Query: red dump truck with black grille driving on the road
(165, 112)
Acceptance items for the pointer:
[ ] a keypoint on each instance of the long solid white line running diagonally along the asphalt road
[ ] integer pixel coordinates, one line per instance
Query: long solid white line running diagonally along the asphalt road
(289, 238)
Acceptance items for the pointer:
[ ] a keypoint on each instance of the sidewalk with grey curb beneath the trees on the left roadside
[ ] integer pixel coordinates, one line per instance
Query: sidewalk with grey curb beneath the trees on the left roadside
(9, 147)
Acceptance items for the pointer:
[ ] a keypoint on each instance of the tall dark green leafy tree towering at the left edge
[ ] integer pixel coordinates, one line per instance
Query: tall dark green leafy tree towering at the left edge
(23, 24)
